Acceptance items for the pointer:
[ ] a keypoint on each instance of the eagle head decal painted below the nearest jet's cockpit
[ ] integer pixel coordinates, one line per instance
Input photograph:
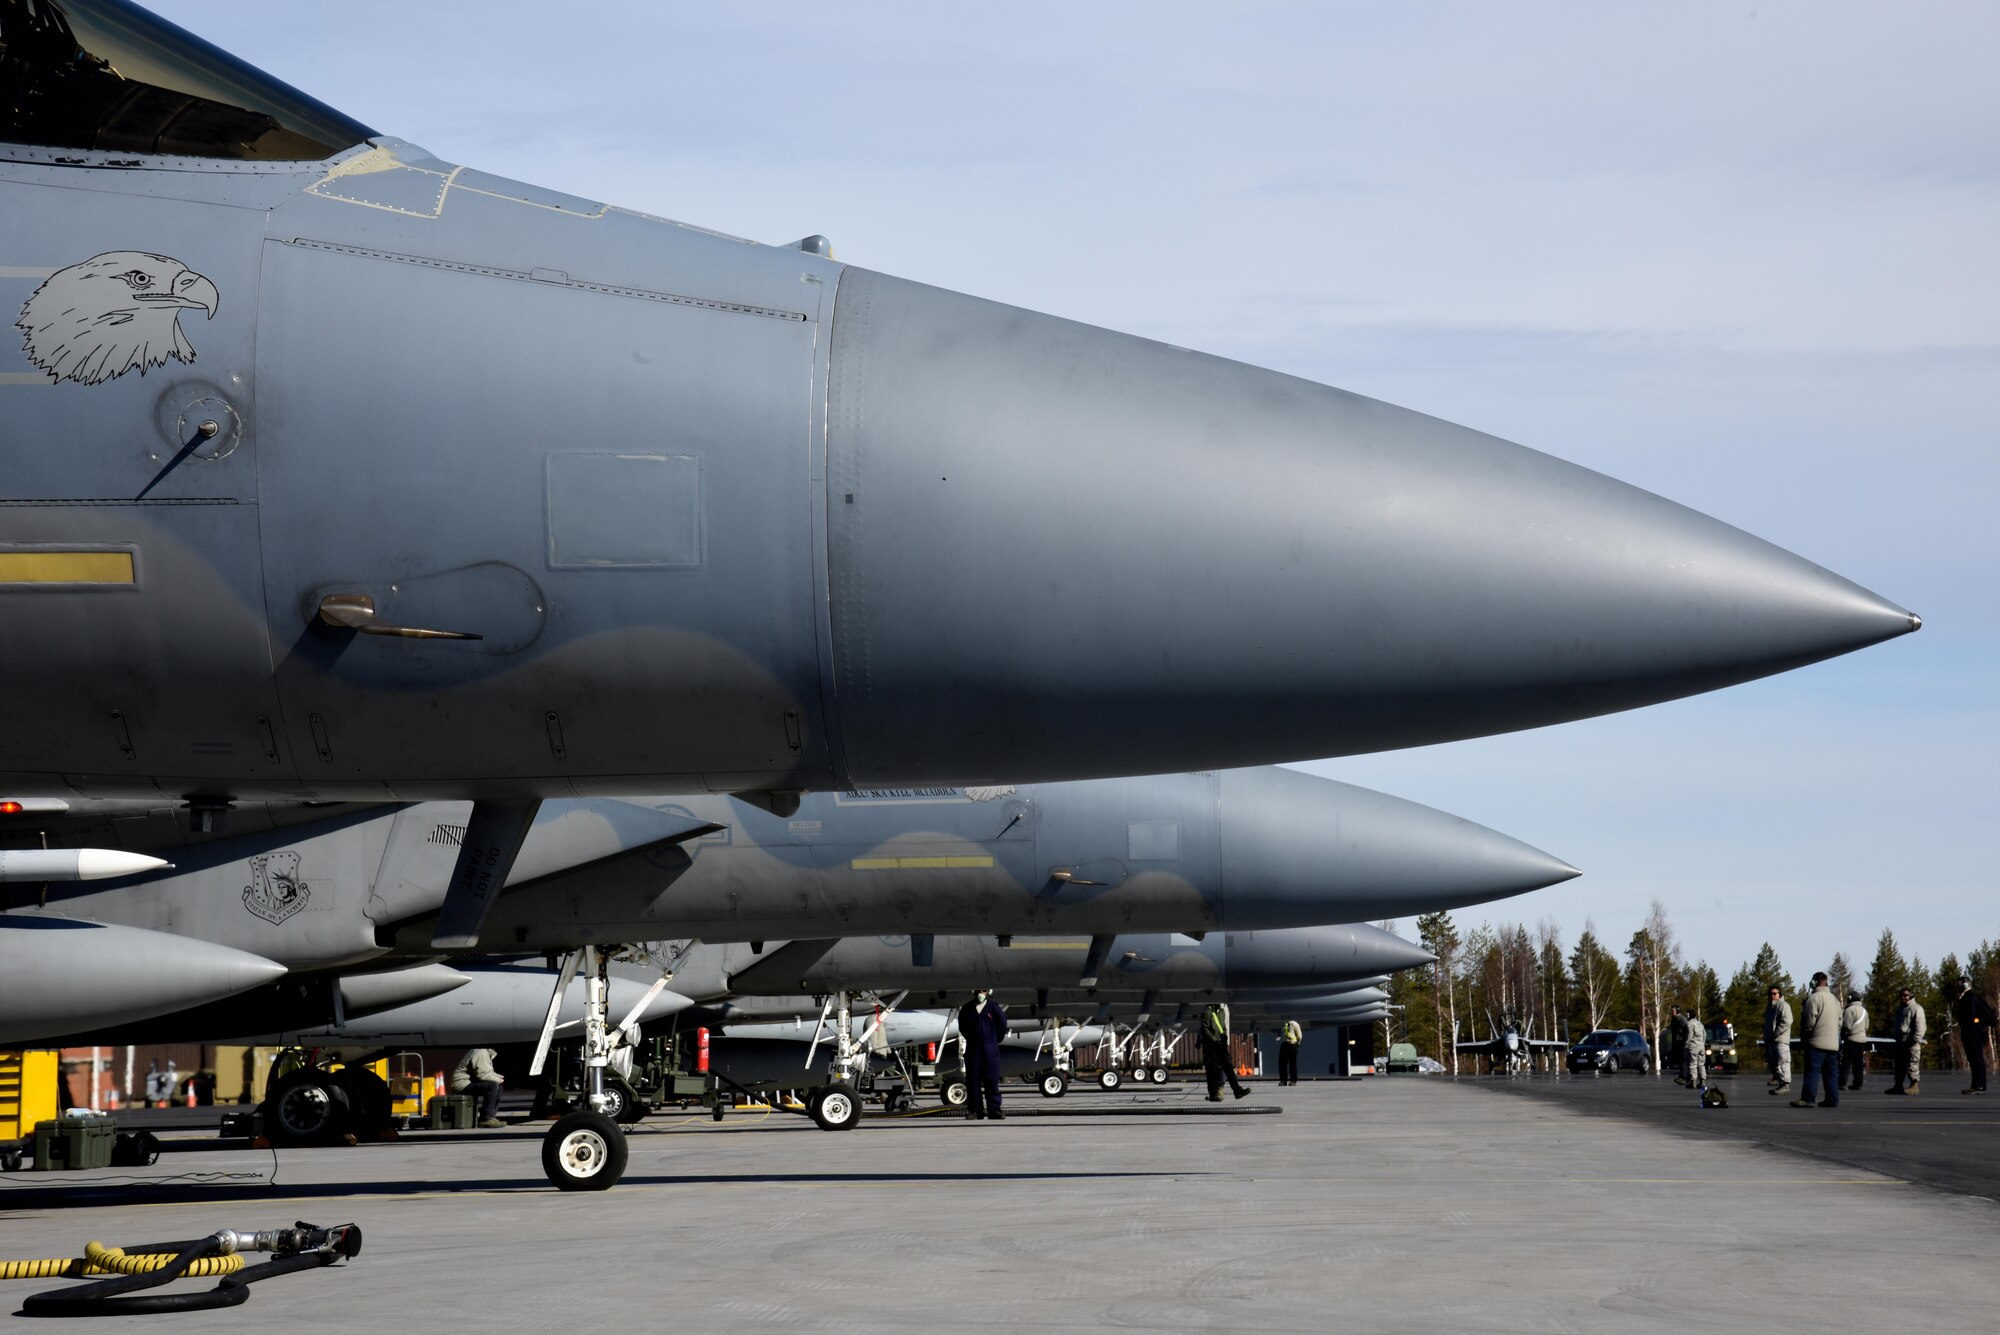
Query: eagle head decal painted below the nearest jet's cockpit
(113, 313)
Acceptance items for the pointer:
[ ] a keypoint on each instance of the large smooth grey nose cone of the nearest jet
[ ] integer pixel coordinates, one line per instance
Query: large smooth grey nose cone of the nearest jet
(1143, 561)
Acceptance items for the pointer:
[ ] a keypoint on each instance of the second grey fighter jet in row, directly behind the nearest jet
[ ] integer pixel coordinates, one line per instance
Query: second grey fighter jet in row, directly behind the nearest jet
(363, 888)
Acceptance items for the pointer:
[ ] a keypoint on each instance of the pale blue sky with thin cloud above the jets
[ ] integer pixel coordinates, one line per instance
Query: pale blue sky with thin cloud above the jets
(1737, 255)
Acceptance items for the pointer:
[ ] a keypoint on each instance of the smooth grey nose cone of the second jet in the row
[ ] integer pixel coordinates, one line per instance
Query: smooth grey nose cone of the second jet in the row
(1301, 848)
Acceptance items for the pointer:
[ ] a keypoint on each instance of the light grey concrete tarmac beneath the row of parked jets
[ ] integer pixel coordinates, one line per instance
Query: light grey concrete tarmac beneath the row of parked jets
(1411, 1204)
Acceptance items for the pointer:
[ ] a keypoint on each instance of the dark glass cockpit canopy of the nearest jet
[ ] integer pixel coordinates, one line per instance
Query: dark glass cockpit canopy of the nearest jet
(109, 75)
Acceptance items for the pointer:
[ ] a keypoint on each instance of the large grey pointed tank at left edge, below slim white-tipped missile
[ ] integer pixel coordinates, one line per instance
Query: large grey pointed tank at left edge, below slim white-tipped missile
(63, 976)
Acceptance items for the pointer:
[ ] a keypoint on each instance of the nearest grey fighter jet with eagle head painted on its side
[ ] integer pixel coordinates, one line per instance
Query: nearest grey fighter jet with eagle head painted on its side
(341, 471)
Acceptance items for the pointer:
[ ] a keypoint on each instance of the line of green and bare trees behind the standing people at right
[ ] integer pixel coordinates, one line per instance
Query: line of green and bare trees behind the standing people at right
(1555, 990)
